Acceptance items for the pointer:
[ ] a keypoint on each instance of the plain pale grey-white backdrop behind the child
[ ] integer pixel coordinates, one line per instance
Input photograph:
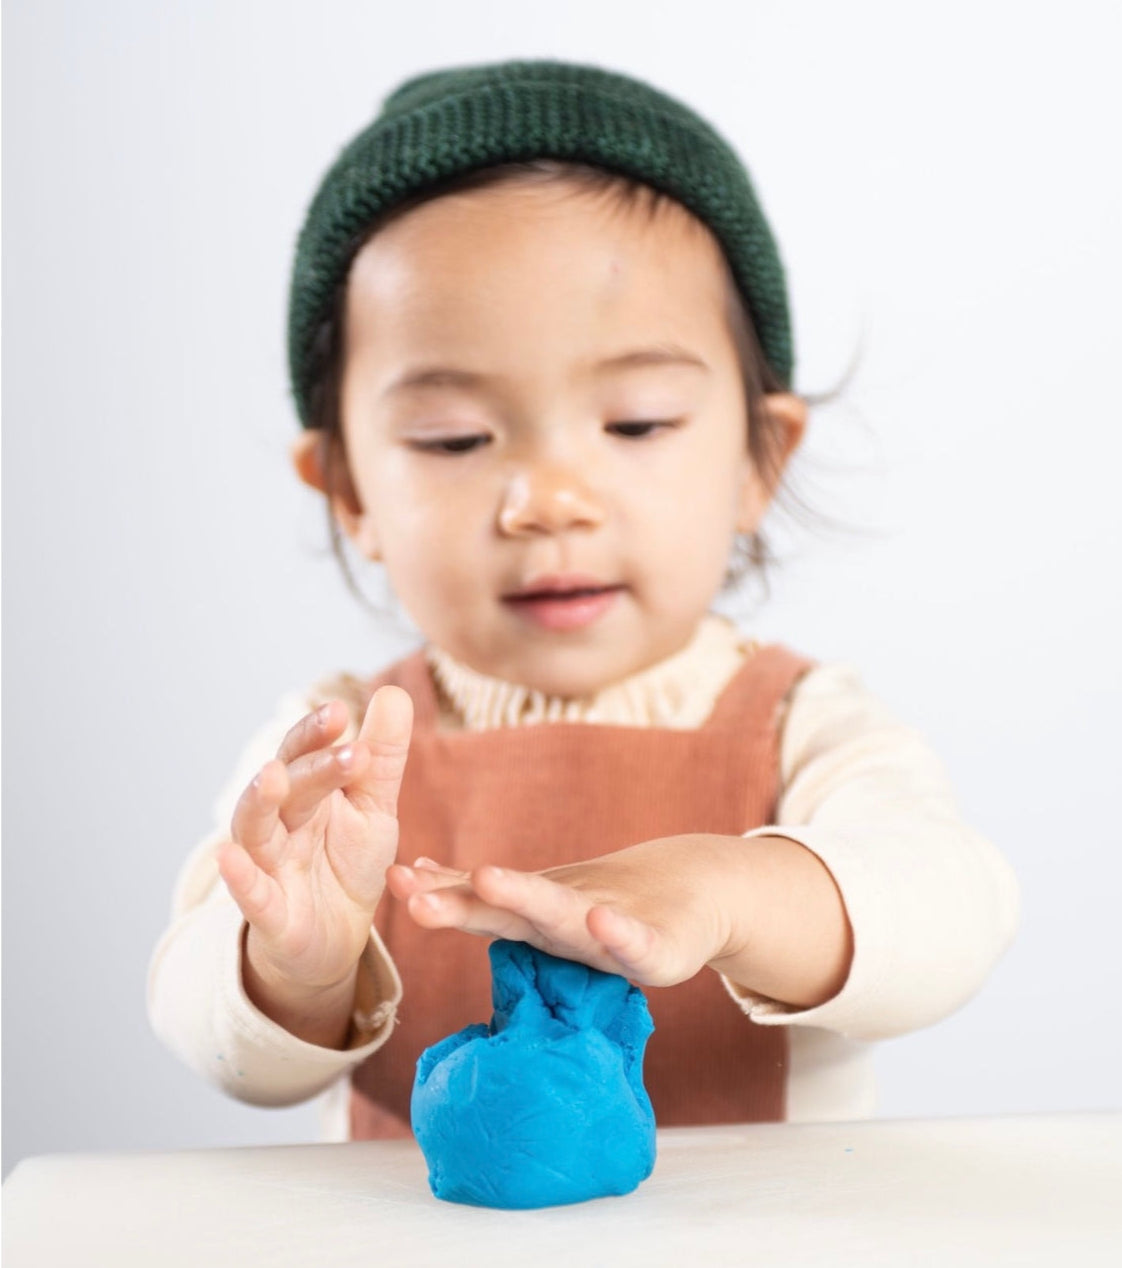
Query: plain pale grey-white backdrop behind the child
(945, 186)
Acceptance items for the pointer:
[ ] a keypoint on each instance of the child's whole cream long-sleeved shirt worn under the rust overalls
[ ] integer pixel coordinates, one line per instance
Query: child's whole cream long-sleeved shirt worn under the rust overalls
(932, 905)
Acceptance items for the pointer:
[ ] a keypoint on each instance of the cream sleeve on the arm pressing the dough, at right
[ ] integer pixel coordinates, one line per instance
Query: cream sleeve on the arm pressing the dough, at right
(932, 905)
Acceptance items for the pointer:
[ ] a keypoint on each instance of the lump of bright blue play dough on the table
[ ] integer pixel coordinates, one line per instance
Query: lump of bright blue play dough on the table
(547, 1104)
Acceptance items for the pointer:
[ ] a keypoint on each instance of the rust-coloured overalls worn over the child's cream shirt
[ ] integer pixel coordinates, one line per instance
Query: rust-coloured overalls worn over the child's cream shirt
(550, 794)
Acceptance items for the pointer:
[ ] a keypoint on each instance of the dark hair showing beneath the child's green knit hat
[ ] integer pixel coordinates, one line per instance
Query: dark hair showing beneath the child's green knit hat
(766, 437)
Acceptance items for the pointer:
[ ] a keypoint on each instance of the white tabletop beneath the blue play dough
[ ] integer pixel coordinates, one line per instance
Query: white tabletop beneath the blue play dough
(1025, 1190)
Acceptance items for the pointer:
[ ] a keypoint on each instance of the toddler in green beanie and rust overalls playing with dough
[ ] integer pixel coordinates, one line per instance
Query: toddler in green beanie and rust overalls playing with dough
(541, 349)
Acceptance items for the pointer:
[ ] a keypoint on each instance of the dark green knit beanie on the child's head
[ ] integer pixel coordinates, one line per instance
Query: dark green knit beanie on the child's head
(449, 122)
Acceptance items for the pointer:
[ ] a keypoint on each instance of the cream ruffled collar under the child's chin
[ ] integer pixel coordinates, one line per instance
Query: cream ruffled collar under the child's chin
(678, 693)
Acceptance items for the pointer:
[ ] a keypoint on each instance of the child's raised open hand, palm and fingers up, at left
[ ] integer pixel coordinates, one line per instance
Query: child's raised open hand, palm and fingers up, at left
(310, 844)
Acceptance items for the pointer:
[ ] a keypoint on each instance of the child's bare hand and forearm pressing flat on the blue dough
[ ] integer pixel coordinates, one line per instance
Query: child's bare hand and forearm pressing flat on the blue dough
(766, 912)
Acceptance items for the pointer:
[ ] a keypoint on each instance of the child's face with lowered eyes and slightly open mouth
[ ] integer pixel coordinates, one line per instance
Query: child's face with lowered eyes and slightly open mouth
(542, 395)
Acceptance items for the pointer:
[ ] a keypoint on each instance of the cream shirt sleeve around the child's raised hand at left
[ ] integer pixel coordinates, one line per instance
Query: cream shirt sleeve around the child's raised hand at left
(197, 1002)
